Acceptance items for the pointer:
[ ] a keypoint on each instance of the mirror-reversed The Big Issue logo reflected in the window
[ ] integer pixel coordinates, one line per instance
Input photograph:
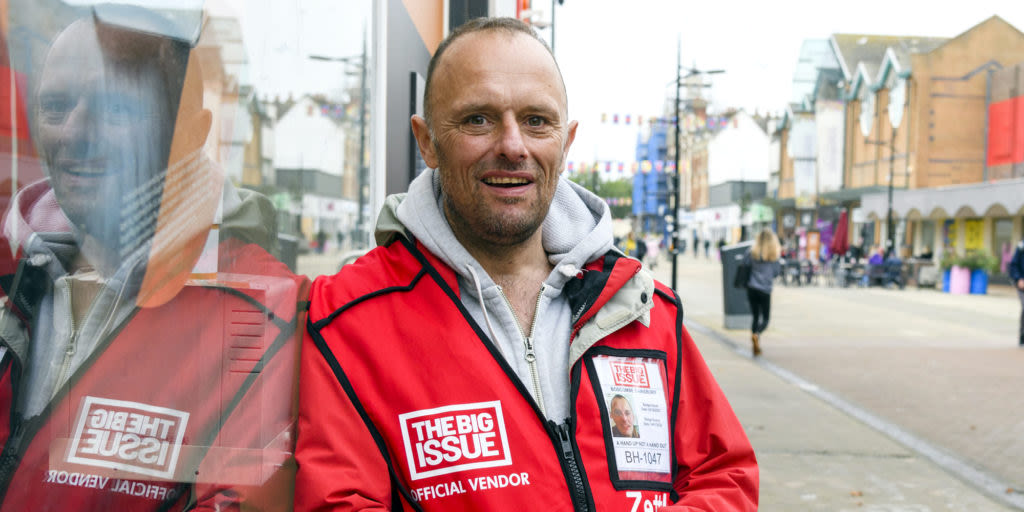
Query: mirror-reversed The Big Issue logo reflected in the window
(129, 437)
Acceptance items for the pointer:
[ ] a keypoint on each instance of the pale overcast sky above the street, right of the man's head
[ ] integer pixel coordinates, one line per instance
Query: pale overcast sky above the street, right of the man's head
(619, 59)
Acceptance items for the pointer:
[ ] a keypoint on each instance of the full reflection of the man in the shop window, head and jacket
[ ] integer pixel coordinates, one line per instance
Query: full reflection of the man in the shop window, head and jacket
(147, 357)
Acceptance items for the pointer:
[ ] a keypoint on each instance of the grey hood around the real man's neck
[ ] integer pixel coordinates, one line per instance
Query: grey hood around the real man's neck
(577, 230)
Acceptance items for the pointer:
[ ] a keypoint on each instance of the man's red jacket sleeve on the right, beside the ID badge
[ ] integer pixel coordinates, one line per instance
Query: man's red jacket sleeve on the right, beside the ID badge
(717, 470)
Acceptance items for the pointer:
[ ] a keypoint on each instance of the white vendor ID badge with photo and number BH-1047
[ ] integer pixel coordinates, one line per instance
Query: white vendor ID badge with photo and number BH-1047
(634, 395)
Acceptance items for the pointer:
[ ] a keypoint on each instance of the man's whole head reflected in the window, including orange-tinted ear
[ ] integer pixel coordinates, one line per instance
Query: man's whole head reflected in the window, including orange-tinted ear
(107, 103)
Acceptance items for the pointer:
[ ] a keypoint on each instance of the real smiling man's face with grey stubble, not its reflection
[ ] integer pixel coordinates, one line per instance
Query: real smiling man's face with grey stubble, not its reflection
(500, 137)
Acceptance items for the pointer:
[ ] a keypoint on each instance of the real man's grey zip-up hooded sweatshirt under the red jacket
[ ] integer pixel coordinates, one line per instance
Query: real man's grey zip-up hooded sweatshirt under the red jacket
(577, 230)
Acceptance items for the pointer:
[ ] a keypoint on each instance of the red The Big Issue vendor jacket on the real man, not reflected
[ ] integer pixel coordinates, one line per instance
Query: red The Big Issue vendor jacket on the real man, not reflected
(407, 406)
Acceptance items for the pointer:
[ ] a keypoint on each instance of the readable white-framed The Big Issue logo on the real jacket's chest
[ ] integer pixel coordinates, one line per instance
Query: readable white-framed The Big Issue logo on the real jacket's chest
(455, 439)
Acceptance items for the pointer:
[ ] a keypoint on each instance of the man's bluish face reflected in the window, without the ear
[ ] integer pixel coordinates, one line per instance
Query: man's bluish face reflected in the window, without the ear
(103, 125)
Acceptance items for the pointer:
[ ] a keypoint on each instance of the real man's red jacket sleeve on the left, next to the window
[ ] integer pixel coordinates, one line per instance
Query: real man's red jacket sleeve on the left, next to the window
(340, 467)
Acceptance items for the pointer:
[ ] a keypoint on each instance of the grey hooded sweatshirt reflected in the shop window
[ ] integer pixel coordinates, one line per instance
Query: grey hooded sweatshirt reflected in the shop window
(50, 242)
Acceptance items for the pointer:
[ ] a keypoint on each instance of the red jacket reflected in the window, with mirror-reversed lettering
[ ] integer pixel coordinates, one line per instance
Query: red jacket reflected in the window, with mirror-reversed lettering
(183, 402)
